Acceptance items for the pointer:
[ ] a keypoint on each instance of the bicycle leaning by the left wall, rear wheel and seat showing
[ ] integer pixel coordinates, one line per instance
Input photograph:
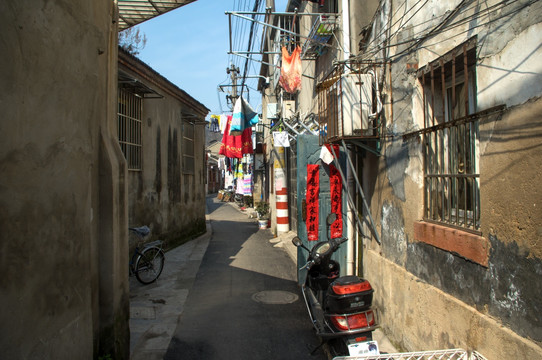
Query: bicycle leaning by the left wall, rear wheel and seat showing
(147, 262)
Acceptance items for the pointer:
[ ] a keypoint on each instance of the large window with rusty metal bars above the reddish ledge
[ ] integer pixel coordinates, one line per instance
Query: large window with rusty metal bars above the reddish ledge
(451, 140)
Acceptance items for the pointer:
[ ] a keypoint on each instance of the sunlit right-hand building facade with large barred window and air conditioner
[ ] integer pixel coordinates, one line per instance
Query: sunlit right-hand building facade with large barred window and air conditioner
(437, 105)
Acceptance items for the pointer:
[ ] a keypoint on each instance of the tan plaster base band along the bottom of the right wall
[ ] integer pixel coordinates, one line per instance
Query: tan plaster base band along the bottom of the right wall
(433, 319)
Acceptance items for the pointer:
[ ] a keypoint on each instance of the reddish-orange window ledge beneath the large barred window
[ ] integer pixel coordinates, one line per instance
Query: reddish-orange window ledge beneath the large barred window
(470, 246)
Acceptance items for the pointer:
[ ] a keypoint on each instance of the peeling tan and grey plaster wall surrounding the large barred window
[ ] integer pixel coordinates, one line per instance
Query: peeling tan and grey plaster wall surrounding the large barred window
(432, 298)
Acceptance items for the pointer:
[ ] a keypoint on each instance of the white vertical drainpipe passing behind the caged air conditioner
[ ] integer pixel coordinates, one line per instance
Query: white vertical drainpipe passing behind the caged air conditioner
(350, 228)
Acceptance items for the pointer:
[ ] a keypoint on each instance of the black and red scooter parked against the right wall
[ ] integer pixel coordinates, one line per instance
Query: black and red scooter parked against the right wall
(339, 306)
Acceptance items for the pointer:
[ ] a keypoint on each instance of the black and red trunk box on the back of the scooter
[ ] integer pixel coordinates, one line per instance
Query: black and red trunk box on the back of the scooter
(349, 294)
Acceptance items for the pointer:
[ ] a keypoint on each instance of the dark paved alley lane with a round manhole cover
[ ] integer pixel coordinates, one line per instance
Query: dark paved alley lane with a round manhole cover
(245, 302)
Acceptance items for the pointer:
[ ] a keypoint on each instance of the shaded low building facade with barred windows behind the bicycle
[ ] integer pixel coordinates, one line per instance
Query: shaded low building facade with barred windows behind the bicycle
(161, 131)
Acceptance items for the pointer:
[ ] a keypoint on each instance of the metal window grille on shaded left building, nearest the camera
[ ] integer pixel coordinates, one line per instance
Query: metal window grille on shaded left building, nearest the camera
(129, 127)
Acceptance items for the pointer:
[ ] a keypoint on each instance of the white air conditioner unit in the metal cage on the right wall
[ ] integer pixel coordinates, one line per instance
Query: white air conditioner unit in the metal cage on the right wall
(356, 103)
